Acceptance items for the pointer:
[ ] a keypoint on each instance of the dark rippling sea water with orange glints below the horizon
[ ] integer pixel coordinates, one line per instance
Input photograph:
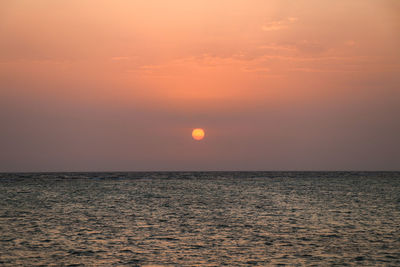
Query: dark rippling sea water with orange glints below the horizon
(200, 219)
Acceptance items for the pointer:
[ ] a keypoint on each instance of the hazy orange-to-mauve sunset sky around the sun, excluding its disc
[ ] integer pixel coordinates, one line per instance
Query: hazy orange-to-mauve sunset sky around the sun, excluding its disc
(94, 85)
